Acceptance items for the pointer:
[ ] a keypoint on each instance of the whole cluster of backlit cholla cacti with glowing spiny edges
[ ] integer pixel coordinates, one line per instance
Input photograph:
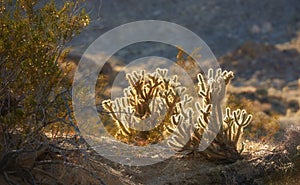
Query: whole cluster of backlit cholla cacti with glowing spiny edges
(155, 107)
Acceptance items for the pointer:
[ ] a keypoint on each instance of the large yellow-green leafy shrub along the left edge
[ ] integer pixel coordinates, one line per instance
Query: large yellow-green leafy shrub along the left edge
(33, 91)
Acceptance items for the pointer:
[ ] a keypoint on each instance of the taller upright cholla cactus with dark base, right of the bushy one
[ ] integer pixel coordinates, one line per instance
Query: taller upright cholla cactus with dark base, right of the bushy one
(211, 123)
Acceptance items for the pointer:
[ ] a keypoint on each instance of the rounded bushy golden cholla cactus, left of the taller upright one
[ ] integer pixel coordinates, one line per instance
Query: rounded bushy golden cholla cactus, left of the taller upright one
(148, 105)
